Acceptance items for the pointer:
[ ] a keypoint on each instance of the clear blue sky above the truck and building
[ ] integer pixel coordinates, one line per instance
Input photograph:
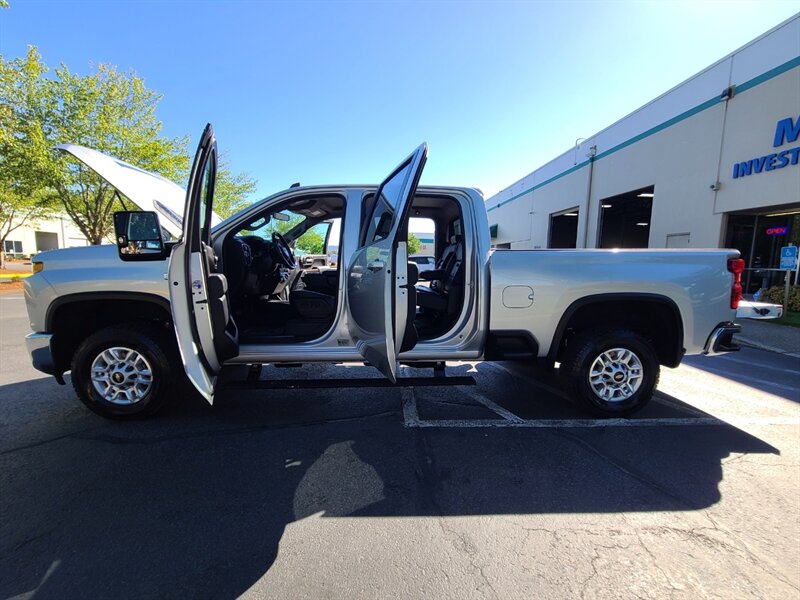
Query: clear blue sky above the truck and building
(334, 92)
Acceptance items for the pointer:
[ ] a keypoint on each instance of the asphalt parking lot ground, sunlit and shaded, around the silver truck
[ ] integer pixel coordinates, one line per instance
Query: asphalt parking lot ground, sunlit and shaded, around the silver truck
(497, 490)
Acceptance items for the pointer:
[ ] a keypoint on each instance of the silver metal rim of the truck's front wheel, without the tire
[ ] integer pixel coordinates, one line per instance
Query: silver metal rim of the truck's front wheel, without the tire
(121, 375)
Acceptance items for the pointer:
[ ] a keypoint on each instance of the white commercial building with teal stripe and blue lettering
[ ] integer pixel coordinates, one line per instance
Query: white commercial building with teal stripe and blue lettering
(711, 163)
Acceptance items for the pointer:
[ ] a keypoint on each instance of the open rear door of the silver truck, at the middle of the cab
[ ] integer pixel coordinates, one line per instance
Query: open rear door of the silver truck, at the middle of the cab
(377, 282)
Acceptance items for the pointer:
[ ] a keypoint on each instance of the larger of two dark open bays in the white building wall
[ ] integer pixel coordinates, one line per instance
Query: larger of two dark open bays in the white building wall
(625, 219)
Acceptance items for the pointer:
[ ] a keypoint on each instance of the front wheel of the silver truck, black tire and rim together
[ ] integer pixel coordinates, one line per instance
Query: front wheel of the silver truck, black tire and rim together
(147, 342)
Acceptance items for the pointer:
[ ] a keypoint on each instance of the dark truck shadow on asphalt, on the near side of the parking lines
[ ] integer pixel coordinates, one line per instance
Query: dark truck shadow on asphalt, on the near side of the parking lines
(195, 503)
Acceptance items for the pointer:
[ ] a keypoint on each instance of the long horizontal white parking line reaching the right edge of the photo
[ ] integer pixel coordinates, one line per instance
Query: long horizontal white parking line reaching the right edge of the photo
(597, 423)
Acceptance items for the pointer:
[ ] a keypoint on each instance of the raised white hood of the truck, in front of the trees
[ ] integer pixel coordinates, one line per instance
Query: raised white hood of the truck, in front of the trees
(146, 190)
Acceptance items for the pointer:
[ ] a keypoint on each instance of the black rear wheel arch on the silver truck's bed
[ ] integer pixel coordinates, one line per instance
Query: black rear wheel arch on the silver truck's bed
(653, 315)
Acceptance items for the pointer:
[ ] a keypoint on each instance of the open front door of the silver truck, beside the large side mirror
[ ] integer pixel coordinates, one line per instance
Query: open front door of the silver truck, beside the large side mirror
(198, 296)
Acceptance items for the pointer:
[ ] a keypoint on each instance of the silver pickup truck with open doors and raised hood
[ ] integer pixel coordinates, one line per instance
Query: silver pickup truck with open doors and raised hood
(182, 293)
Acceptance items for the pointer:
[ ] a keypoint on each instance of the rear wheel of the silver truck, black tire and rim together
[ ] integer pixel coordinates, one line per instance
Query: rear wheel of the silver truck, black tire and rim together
(617, 391)
